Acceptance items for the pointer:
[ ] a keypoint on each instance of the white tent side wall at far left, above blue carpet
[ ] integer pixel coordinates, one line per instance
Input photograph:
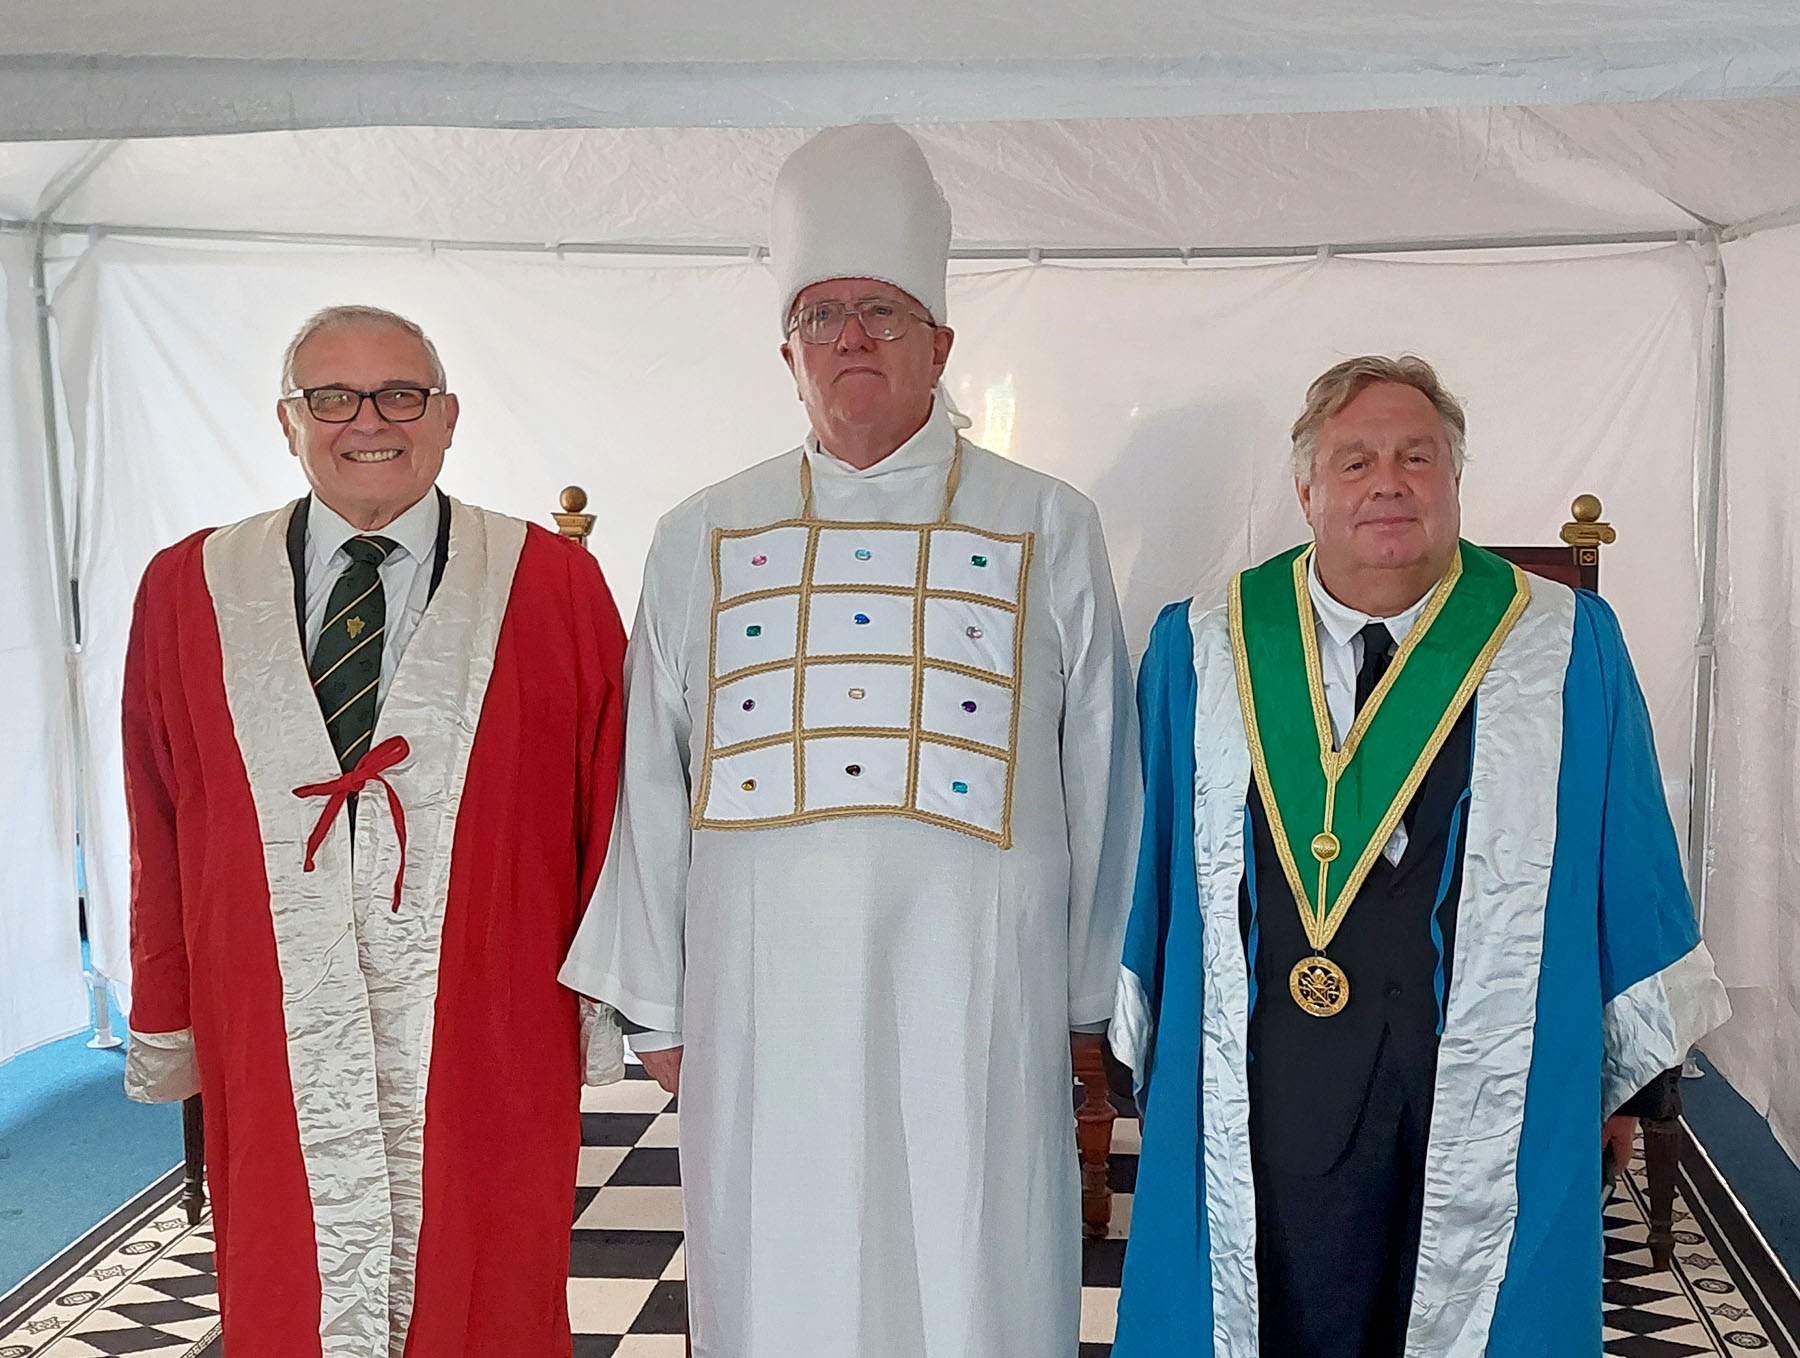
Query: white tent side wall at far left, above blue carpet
(40, 948)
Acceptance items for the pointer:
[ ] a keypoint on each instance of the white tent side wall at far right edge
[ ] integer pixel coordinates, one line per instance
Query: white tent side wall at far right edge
(1752, 916)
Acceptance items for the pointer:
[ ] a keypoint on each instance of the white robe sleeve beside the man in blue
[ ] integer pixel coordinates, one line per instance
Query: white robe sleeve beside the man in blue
(1102, 786)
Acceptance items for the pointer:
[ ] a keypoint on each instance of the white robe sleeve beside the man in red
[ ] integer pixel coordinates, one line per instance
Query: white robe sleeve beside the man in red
(631, 946)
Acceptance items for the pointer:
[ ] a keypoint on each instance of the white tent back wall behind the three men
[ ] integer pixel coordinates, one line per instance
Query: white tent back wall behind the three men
(1165, 392)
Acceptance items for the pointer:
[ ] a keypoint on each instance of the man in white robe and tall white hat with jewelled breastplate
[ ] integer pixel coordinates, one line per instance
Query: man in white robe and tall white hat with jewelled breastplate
(874, 844)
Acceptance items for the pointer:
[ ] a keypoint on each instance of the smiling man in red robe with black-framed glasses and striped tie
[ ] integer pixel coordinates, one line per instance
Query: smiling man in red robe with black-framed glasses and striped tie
(372, 752)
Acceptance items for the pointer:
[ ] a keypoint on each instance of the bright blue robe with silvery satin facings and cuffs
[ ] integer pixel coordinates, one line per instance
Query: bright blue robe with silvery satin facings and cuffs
(1578, 979)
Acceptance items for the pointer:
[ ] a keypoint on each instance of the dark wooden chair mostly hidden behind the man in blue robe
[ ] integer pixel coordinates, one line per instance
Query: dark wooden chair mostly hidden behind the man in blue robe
(1108, 1085)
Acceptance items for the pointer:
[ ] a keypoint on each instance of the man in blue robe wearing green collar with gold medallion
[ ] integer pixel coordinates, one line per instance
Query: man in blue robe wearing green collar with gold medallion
(1410, 927)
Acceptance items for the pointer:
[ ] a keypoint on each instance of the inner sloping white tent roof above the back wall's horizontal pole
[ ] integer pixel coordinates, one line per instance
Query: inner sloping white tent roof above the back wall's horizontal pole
(1205, 183)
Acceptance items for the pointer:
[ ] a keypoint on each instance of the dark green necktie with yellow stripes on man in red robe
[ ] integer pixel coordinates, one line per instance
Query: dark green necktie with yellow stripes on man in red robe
(346, 664)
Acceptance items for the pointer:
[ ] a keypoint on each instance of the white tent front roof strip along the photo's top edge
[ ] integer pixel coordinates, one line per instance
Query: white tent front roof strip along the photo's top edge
(112, 68)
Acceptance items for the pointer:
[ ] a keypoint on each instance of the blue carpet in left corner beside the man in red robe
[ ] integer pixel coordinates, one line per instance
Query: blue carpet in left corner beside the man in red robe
(71, 1150)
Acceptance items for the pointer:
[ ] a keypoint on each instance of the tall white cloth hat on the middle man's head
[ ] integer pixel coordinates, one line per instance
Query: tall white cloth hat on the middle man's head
(861, 203)
